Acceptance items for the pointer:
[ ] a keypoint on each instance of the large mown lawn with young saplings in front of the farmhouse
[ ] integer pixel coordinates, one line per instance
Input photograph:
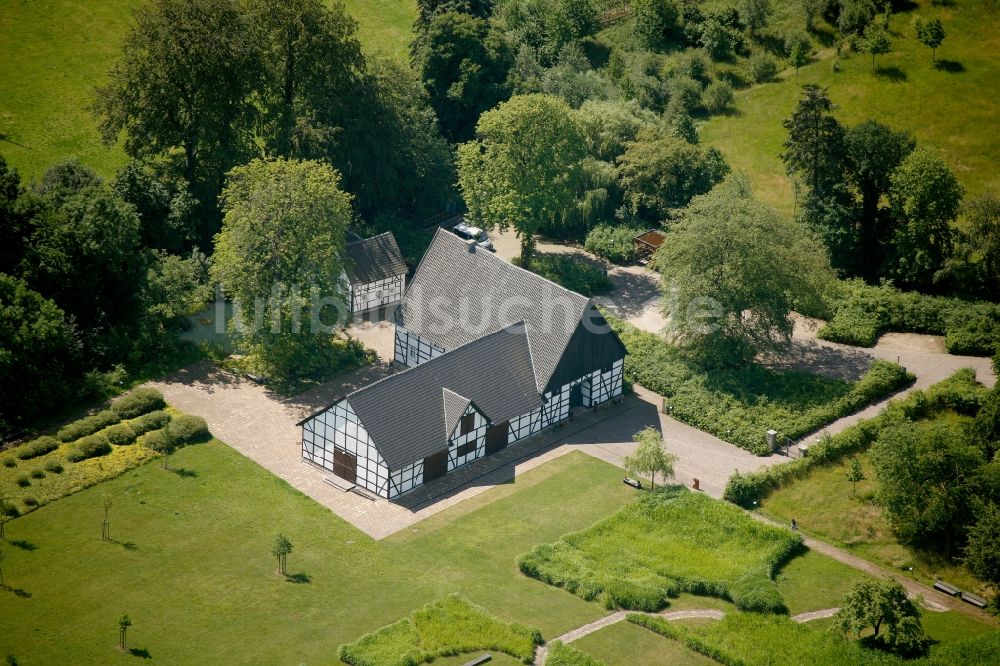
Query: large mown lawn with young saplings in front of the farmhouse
(198, 559)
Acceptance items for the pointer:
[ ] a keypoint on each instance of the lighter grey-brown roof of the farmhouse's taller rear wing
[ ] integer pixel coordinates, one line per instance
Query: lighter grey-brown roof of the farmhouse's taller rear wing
(461, 292)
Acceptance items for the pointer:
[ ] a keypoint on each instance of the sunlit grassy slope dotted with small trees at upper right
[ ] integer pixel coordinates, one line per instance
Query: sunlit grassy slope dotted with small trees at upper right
(950, 112)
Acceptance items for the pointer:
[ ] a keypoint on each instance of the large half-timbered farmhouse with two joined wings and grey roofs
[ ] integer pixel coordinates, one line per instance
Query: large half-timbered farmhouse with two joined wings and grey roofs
(493, 354)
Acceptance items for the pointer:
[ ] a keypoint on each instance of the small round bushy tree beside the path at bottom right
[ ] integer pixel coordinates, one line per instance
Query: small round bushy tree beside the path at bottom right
(883, 607)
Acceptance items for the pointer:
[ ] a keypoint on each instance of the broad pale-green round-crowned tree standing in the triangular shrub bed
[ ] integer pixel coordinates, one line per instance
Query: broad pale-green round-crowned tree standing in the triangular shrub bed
(733, 269)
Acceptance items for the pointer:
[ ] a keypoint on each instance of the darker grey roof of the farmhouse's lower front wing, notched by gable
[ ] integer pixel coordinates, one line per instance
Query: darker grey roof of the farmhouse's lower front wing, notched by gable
(405, 413)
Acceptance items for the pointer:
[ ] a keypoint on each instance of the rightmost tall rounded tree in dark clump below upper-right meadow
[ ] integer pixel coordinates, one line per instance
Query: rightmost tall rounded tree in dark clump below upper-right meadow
(925, 197)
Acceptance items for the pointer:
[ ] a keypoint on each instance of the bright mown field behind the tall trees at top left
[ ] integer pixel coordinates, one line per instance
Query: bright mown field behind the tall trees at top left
(53, 53)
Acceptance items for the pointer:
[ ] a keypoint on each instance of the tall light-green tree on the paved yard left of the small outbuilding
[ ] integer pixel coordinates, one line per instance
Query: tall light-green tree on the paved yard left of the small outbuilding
(280, 254)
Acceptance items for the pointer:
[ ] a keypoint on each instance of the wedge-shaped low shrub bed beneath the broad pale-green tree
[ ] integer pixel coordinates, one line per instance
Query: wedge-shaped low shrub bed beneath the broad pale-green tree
(740, 405)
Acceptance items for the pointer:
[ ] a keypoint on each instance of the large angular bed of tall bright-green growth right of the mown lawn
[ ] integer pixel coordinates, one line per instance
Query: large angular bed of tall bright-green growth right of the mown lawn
(669, 541)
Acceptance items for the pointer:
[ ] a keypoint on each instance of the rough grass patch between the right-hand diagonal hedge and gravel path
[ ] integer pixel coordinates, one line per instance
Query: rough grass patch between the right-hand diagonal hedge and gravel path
(824, 505)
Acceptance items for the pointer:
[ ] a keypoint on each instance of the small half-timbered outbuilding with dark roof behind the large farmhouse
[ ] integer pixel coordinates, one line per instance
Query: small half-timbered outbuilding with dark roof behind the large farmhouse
(375, 272)
